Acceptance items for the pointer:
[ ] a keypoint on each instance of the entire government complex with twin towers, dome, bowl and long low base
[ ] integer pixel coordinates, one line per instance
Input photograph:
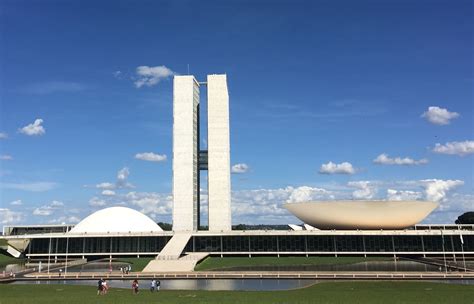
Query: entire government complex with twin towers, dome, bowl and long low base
(331, 228)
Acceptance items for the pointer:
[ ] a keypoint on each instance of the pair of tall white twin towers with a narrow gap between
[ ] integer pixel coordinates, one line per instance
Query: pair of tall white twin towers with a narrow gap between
(189, 159)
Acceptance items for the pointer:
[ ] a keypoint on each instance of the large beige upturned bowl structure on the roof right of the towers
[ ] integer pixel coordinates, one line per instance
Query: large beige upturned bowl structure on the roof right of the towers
(350, 215)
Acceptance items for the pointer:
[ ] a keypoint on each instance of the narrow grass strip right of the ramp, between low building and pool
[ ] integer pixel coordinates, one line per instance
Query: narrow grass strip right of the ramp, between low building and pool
(213, 263)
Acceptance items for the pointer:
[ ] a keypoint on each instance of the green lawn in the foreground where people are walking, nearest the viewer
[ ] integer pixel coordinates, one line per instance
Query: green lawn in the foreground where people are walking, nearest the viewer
(326, 292)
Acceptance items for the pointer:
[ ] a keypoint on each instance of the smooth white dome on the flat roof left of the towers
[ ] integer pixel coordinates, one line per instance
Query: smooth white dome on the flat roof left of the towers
(114, 220)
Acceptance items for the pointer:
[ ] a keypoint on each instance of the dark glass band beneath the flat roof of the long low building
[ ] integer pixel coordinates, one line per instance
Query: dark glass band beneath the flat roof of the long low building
(259, 244)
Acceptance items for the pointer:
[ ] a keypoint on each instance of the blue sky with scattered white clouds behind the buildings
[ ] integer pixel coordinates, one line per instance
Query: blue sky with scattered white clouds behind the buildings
(329, 100)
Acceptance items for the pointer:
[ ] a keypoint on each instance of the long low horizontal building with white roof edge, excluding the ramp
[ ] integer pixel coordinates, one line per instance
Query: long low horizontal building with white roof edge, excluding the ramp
(415, 242)
